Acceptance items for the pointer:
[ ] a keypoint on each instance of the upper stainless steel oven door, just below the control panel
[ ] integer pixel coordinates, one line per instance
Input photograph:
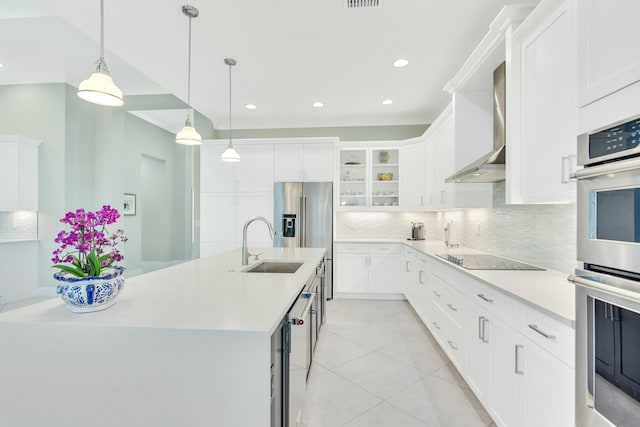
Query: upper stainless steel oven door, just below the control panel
(609, 215)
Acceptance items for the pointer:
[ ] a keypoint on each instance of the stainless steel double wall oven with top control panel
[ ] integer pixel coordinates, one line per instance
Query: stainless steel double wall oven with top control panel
(608, 285)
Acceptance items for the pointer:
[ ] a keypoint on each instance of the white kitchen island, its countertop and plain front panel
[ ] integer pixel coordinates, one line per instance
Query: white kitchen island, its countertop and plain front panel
(189, 345)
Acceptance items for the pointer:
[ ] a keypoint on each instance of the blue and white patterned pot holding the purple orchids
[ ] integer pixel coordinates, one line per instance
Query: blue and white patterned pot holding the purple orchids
(87, 294)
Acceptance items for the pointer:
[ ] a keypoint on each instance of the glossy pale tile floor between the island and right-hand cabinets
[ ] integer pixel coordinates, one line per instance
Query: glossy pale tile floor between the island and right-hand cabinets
(376, 365)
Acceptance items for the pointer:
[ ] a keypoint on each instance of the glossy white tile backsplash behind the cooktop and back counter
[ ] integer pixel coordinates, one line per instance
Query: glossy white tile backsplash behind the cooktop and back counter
(543, 235)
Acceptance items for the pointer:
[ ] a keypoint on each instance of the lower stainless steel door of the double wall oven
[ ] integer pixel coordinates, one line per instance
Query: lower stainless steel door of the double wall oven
(607, 350)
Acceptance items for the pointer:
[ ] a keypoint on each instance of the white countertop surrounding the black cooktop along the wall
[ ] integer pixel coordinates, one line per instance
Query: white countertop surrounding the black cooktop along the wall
(547, 290)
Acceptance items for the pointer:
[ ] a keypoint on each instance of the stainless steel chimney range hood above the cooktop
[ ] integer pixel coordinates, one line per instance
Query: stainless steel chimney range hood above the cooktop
(490, 167)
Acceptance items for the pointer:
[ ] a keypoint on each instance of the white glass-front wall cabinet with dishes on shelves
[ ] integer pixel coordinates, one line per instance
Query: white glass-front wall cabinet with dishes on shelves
(369, 178)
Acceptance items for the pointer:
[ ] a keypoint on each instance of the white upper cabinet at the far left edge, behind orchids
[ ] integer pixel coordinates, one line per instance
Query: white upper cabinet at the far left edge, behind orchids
(18, 173)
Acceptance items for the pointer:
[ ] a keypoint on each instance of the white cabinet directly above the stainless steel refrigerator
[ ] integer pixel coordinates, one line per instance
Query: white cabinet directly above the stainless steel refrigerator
(308, 161)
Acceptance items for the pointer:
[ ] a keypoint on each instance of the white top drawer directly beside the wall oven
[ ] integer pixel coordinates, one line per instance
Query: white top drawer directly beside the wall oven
(550, 334)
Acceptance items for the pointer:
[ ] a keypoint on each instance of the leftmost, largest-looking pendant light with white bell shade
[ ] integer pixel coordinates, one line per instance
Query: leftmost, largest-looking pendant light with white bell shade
(99, 87)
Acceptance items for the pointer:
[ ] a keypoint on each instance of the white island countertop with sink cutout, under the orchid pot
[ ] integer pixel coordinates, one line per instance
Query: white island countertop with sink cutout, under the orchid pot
(209, 293)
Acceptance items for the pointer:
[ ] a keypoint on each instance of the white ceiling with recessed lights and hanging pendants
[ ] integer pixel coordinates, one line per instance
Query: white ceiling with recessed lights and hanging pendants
(290, 54)
